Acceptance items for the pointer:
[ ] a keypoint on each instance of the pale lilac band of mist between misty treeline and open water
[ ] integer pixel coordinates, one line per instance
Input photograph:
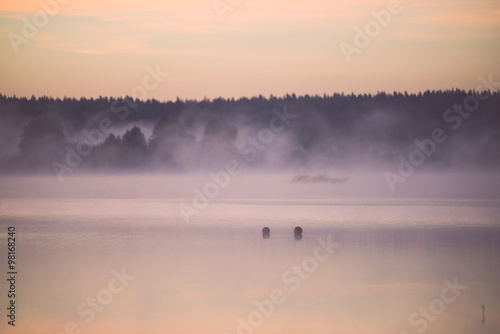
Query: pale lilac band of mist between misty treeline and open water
(253, 186)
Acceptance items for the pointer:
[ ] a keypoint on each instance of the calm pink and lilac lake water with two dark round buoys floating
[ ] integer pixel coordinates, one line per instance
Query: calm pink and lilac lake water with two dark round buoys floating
(386, 274)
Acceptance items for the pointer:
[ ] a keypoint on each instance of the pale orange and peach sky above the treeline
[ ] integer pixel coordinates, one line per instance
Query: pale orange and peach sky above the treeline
(235, 48)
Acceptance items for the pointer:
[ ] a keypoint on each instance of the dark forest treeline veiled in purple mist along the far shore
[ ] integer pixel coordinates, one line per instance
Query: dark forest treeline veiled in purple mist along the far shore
(331, 131)
